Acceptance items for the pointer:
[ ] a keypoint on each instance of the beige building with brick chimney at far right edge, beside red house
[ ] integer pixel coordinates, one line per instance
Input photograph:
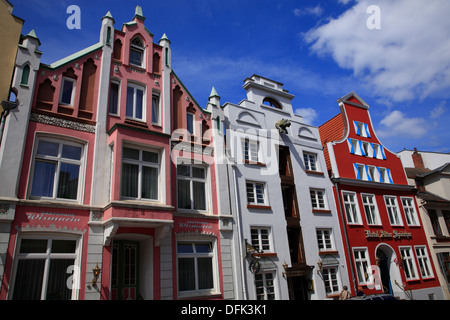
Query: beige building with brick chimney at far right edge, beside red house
(430, 173)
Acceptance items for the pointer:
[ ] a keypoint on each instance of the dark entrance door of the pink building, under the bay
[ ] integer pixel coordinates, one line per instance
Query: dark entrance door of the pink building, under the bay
(125, 271)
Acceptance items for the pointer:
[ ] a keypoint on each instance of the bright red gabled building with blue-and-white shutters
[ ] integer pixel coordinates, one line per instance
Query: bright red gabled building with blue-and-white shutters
(387, 246)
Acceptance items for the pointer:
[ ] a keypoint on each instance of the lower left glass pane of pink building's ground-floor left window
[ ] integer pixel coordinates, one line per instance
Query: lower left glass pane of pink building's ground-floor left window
(29, 277)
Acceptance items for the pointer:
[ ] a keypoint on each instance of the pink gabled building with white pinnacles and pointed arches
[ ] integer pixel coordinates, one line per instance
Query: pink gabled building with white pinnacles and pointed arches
(108, 177)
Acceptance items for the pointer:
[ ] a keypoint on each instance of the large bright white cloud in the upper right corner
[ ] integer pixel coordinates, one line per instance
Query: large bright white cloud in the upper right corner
(406, 59)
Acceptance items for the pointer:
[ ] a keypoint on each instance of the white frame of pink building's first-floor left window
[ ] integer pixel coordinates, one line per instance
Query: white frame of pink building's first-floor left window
(58, 160)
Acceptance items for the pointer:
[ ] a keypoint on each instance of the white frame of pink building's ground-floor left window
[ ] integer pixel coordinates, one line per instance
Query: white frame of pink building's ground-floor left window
(48, 256)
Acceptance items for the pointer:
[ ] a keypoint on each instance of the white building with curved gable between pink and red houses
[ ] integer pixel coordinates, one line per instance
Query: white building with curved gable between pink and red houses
(286, 226)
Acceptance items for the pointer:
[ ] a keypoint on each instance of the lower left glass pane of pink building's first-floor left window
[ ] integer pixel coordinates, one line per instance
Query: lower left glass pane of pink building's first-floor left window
(43, 179)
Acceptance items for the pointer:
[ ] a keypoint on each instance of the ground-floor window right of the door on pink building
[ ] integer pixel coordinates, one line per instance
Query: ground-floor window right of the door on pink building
(196, 269)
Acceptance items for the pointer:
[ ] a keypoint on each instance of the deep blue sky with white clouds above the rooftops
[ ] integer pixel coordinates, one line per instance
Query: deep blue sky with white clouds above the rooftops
(320, 50)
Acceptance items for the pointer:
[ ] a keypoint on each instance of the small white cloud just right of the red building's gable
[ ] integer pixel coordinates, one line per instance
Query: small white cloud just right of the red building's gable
(396, 124)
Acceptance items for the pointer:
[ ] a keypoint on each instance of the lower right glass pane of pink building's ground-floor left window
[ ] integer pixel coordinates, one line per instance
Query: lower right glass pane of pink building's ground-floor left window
(57, 288)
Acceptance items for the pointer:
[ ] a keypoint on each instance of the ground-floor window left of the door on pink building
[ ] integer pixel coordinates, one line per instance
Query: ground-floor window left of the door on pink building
(44, 267)
